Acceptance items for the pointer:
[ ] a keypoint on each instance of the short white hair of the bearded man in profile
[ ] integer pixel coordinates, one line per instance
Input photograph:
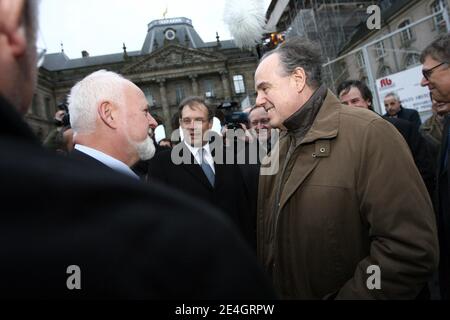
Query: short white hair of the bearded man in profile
(88, 93)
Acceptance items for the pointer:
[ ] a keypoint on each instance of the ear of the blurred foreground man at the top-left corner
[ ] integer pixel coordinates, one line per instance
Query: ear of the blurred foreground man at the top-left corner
(12, 26)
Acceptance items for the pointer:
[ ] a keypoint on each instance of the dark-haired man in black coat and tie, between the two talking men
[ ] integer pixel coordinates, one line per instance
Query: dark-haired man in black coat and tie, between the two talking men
(199, 168)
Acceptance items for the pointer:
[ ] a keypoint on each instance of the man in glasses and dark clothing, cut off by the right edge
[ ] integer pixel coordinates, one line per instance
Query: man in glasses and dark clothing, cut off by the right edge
(436, 76)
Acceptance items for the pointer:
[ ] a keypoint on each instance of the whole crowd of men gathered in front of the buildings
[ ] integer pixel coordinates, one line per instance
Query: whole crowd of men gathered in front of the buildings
(349, 191)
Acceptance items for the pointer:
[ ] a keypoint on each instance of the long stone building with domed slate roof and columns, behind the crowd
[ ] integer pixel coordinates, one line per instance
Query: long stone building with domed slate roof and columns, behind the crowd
(174, 63)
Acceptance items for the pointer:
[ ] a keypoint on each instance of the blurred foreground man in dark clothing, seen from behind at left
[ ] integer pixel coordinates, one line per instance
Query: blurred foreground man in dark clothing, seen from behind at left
(69, 229)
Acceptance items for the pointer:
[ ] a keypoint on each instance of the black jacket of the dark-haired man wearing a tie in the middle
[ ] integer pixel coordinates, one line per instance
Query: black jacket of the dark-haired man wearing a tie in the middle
(229, 194)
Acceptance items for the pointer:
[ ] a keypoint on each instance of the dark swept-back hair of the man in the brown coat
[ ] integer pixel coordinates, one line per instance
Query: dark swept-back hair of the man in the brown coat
(297, 52)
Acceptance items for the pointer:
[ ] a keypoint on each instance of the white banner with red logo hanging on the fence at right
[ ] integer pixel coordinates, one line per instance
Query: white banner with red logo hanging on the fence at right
(407, 85)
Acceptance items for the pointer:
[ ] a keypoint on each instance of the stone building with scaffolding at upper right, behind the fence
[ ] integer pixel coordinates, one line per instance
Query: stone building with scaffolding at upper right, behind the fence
(351, 50)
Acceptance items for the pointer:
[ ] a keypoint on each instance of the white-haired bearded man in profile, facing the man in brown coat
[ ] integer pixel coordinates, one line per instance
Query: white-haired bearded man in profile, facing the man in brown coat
(111, 119)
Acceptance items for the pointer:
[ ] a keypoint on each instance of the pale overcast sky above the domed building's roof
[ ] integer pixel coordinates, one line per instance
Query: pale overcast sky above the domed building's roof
(102, 26)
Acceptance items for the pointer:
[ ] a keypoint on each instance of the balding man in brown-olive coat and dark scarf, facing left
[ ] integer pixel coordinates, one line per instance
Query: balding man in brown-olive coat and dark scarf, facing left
(346, 215)
